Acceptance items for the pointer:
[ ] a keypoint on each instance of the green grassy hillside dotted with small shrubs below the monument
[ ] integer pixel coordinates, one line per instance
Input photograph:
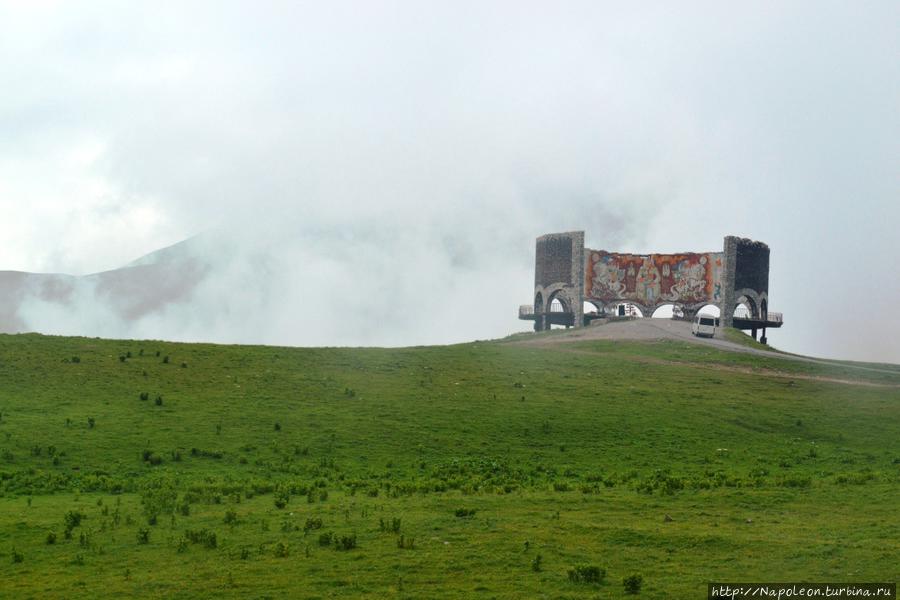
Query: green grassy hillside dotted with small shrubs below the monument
(489, 469)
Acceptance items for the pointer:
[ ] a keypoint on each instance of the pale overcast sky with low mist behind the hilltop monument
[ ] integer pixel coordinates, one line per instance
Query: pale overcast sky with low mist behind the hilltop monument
(391, 163)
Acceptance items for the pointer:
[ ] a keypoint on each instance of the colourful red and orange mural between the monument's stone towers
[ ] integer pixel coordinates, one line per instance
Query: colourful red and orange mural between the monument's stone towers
(654, 279)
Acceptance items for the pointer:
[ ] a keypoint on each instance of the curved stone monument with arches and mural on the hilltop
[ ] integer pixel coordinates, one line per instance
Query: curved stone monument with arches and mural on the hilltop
(566, 270)
